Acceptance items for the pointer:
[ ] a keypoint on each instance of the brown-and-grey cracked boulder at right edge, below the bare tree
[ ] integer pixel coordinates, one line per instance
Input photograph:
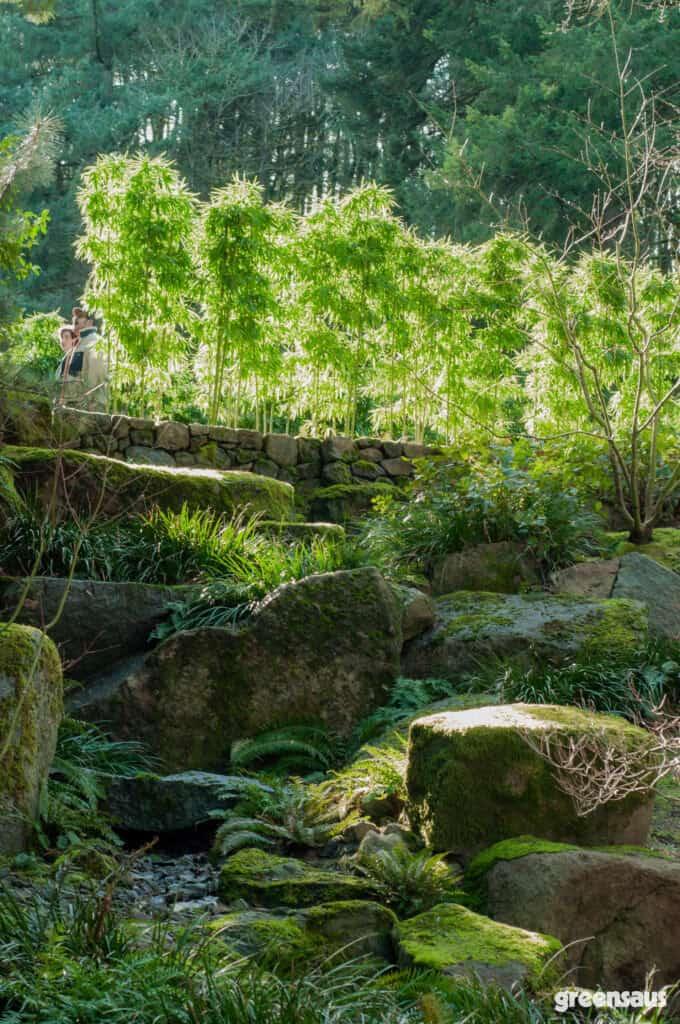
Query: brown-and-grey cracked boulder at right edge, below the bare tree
(633, 576)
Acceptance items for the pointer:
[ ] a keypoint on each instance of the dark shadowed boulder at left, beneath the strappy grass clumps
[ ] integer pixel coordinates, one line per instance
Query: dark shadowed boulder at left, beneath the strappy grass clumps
(95, 623)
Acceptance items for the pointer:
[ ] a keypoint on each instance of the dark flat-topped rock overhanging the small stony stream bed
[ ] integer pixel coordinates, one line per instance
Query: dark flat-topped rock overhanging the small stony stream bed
(151, 803)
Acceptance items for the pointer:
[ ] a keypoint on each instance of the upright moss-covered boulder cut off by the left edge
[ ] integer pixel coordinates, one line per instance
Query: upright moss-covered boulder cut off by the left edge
(31, 708)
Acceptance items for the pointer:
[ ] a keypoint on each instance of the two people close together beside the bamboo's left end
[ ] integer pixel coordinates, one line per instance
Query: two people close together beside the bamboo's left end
(82, 371)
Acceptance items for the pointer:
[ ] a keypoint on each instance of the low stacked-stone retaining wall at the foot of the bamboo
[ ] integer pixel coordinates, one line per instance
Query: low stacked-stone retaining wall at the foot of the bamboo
(309, 463)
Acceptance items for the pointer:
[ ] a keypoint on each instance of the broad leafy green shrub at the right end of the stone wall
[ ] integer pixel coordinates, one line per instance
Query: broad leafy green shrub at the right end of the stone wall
(452, 505)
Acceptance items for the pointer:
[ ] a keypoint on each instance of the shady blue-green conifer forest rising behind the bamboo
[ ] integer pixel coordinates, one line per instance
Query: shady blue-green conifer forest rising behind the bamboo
(449, 104)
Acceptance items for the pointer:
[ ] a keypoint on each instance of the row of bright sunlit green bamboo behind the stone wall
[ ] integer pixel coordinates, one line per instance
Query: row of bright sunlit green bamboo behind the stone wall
(347, 320)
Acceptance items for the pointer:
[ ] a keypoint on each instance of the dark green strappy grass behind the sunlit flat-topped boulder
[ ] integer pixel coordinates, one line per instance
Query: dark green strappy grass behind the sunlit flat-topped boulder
(633, 693)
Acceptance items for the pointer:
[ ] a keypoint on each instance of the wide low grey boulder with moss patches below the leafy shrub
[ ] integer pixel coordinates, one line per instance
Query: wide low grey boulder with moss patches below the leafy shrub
(475, 629)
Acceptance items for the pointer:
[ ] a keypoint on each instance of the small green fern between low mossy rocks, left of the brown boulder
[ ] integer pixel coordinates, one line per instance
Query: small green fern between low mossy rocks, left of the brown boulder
(410, 883)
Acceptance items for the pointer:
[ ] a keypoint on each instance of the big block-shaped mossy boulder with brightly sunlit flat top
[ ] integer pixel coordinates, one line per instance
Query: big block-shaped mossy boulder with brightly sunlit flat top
(474, 780)
